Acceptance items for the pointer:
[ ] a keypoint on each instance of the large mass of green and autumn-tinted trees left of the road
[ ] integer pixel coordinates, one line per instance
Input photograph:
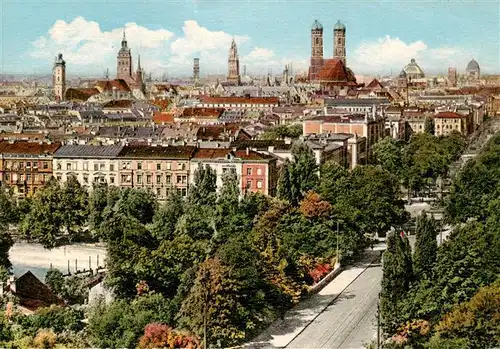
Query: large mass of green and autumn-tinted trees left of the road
(215, 264)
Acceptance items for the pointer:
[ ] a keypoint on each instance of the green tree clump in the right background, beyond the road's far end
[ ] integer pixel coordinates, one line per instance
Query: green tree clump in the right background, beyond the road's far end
(420, 161)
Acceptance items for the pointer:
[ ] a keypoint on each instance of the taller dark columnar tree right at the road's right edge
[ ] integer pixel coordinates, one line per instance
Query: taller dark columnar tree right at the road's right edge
(396, 279)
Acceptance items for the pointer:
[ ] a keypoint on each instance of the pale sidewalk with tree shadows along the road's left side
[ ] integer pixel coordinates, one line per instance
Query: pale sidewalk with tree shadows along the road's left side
(280, 333)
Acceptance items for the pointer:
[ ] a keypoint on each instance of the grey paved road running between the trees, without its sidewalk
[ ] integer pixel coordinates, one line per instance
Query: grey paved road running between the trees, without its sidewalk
(350, 321)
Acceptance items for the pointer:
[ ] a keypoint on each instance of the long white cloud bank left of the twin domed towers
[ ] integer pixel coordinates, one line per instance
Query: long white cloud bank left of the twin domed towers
(89, 49)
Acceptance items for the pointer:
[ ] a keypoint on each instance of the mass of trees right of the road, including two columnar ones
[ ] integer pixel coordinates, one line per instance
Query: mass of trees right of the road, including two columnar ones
(449, 296)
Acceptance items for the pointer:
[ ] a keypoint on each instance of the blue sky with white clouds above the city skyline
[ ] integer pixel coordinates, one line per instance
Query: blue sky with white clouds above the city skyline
(381, 37)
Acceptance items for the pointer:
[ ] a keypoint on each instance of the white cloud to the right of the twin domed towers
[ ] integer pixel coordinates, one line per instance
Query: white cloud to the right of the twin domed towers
(388, 53)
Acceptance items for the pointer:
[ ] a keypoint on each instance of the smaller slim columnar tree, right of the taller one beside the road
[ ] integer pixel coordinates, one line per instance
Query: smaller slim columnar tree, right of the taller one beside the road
(424, 256)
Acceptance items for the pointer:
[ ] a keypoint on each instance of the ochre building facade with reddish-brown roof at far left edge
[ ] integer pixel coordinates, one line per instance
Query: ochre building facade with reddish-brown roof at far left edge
(26, 166)
